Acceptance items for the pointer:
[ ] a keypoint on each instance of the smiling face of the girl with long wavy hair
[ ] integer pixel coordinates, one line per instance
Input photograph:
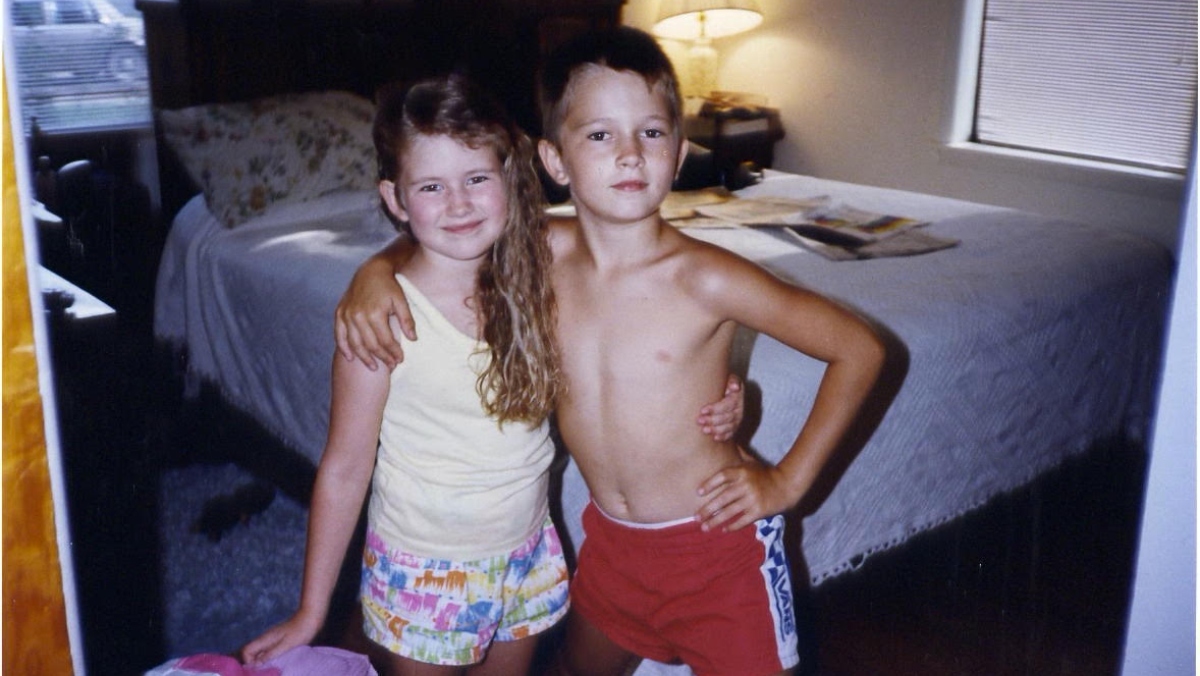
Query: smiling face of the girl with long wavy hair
(452, 195)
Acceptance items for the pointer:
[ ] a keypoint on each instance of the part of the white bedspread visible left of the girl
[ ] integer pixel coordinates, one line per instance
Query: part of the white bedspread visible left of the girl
(254, 307)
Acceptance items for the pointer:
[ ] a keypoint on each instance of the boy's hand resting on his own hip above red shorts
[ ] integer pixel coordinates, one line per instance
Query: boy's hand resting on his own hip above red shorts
(741, 495)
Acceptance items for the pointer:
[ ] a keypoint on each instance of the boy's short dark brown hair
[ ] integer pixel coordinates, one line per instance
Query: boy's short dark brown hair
(621, 49)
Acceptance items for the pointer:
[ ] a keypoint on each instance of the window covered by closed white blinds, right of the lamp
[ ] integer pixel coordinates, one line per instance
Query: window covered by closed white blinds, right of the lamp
(1103, 80)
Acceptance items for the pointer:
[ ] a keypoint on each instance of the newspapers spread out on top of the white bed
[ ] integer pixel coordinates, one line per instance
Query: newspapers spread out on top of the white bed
(838, 232)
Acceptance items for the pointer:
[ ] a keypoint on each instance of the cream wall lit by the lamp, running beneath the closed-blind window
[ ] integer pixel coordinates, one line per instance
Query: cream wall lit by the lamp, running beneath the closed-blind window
(867, 91)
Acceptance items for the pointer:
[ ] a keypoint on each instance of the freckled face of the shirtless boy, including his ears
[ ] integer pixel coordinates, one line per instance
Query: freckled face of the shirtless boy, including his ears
(619, 148)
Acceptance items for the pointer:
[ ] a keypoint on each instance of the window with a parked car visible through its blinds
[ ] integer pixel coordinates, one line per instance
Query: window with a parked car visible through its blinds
(81, 65)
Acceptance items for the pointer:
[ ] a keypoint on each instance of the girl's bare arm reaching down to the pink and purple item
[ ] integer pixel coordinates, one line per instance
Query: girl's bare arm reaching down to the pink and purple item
(343, 481)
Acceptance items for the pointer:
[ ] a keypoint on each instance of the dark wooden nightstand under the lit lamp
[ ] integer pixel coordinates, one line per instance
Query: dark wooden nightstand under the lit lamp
(736, 135)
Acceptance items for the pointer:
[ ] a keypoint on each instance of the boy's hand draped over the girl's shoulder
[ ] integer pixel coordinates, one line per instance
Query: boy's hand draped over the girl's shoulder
(363, 322)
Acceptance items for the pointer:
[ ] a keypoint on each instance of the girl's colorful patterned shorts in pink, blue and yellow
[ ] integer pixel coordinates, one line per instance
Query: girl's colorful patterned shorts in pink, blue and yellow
(449, 612)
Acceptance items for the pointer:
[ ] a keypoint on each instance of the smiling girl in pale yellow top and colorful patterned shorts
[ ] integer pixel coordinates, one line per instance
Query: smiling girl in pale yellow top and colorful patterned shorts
(460, 546)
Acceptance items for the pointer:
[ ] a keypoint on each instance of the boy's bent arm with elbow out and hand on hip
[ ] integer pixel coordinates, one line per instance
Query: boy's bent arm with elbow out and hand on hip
(823, 330)
